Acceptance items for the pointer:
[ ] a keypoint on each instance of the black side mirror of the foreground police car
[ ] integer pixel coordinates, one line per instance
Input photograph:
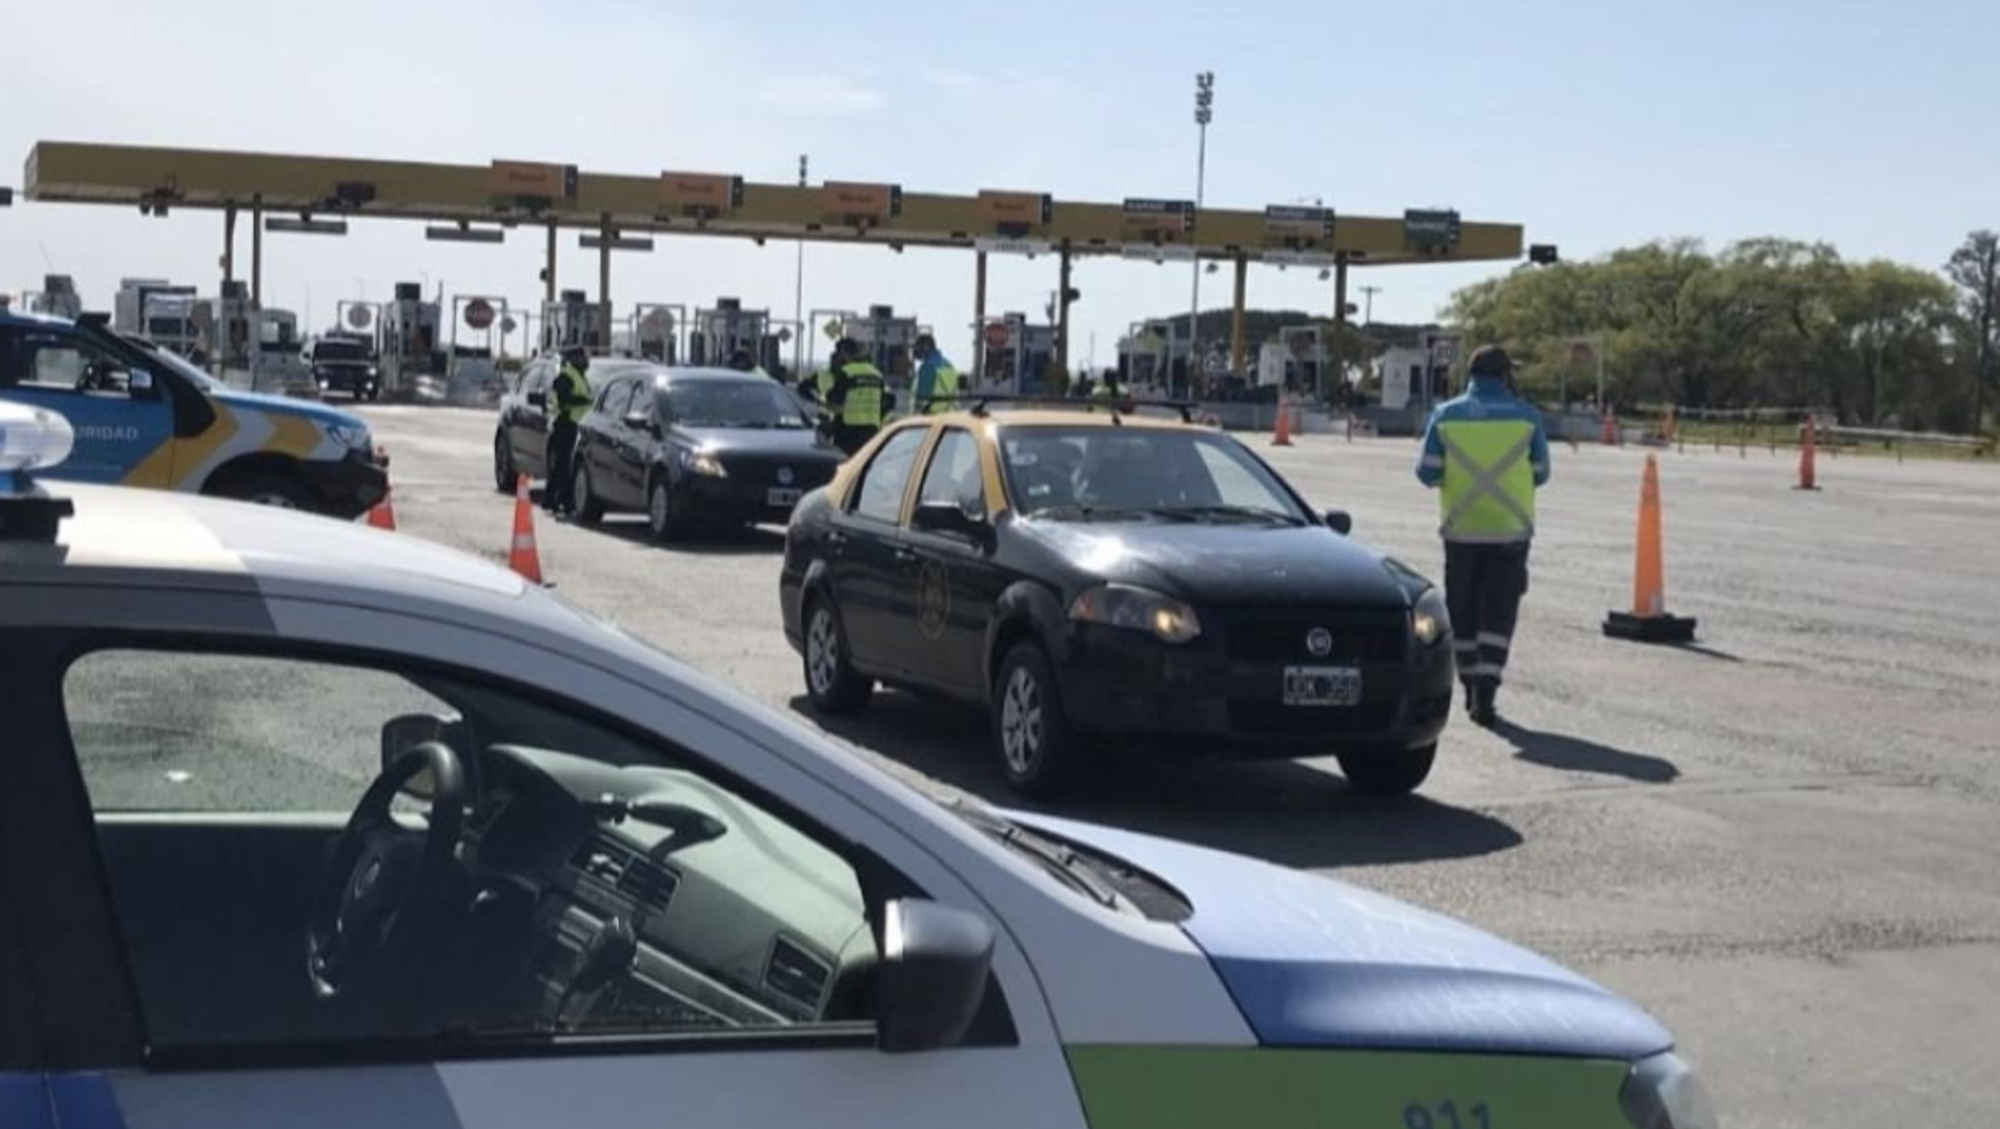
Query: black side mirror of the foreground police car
(933, 978)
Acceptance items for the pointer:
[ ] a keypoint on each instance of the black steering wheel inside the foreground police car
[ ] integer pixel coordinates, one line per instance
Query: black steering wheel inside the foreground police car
(383, 872)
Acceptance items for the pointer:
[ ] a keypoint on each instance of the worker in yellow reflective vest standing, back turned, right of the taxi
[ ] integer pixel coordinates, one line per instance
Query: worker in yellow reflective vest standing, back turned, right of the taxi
(1487, 455)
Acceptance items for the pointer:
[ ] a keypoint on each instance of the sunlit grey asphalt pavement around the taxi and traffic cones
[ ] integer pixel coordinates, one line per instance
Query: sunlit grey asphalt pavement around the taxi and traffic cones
(1785, 842)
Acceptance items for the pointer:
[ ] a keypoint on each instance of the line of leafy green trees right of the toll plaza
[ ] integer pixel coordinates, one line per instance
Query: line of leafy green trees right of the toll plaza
(1761, 323)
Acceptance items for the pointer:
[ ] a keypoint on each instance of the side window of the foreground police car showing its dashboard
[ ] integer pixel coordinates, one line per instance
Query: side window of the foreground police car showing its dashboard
(591, 884)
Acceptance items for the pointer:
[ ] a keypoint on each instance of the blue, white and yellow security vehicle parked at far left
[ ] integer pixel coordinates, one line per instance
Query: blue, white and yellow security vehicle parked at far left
(145, 417)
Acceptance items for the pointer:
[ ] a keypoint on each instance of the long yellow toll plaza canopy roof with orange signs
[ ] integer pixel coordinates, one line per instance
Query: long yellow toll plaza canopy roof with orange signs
(689, 203)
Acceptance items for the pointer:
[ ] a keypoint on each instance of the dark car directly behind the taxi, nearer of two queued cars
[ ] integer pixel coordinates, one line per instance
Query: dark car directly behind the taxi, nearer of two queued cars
(697, 447)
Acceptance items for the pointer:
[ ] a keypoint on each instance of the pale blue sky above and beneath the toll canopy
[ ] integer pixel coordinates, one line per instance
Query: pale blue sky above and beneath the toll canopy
(1597, 125)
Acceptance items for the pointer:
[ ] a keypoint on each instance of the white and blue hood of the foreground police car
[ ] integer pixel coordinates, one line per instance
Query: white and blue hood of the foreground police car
(1323, 964)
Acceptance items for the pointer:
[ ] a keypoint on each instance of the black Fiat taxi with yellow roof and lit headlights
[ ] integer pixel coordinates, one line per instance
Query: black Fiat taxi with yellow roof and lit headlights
(1099, 578)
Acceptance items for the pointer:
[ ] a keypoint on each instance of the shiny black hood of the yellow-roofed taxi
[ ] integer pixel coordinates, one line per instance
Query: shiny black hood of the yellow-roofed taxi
(1227, 561)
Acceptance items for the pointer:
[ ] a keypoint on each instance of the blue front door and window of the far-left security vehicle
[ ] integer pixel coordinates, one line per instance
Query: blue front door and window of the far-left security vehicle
(121, 413)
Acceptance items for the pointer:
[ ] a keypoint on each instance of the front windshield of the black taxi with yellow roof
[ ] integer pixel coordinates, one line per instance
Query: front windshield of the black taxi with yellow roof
(1095, 473)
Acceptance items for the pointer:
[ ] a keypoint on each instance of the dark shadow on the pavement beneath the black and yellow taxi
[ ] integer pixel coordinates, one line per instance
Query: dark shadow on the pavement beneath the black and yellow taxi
(1283, 812)
